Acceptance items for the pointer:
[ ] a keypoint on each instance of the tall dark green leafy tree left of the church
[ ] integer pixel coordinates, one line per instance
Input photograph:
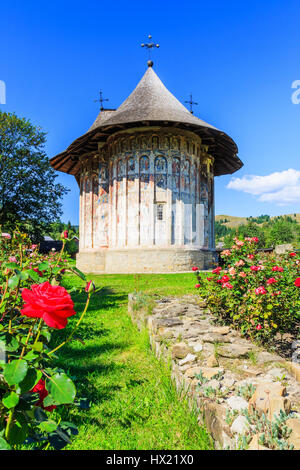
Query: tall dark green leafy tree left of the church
(29, 195)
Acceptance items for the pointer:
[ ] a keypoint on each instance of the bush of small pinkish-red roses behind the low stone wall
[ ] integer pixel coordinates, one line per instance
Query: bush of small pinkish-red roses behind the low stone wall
(258, 293)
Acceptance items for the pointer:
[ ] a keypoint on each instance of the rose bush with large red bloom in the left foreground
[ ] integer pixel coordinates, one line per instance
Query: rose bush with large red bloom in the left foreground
(33, 305)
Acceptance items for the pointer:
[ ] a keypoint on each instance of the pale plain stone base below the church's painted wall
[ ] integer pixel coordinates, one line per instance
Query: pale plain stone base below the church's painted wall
(144, 260)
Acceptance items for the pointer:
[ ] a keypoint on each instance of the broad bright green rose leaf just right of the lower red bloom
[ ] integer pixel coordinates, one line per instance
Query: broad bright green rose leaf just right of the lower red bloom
(61, 390)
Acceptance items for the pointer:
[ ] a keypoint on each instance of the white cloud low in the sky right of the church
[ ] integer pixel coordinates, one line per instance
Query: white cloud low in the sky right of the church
(281, 188)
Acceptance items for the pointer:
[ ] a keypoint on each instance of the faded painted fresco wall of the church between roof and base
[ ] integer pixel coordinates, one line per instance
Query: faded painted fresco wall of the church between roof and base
(148, 189)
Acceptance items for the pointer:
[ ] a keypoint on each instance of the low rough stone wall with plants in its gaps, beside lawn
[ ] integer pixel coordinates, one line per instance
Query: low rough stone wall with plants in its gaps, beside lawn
(246, 396)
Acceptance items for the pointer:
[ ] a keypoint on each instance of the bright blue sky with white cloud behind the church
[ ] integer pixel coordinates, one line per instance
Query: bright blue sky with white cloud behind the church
(238, 58)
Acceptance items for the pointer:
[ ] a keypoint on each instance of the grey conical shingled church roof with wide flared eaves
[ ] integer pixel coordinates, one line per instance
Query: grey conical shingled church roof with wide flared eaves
(150, 103)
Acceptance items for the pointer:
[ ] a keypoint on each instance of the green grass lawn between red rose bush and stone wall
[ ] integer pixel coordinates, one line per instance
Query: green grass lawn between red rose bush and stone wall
(134, 404)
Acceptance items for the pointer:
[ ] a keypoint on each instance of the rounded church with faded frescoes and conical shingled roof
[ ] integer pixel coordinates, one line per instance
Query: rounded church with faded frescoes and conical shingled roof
(146, 176)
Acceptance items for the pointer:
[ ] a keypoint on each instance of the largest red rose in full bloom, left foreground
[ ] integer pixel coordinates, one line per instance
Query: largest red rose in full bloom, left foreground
(51, 303)
